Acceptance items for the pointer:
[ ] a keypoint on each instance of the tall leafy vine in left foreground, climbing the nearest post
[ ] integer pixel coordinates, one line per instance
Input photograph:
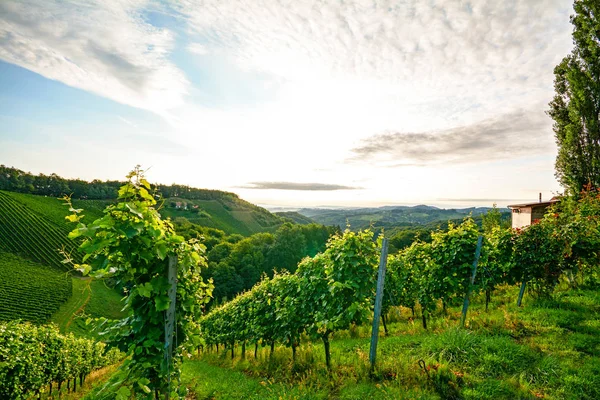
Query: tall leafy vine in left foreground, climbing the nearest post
(132, 244)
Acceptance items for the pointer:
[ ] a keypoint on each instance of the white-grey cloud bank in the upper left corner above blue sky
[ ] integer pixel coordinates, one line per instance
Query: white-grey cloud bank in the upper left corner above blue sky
(104, 47)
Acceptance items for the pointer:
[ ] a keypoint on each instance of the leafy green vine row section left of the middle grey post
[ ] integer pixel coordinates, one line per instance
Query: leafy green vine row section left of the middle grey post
(327, 293)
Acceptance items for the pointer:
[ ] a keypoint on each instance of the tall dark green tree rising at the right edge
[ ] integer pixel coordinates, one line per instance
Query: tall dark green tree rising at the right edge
(575, 108)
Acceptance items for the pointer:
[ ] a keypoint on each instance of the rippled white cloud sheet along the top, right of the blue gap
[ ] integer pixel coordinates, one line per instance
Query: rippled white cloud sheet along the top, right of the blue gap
(481, 42)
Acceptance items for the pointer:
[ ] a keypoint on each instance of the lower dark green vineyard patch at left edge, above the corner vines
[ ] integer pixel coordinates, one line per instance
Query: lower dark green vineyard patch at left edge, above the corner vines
(31, 291)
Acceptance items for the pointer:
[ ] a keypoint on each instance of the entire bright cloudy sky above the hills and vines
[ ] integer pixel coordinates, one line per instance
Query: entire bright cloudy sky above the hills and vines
(289, 102)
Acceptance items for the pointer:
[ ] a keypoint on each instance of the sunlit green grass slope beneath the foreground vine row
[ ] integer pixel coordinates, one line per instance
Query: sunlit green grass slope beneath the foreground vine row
(545, 350)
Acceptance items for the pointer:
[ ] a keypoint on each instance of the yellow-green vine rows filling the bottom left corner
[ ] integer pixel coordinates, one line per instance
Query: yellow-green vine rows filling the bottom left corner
(34, 359)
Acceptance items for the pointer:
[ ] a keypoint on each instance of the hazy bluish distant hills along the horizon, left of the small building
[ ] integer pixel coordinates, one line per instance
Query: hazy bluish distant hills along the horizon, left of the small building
(389, 217)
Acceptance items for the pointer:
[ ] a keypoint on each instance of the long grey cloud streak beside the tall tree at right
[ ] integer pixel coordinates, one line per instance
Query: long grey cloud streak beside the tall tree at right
(517, 134)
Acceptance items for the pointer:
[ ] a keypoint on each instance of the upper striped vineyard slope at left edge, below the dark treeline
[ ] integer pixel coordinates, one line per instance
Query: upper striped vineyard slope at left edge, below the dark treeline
(31, 235)
